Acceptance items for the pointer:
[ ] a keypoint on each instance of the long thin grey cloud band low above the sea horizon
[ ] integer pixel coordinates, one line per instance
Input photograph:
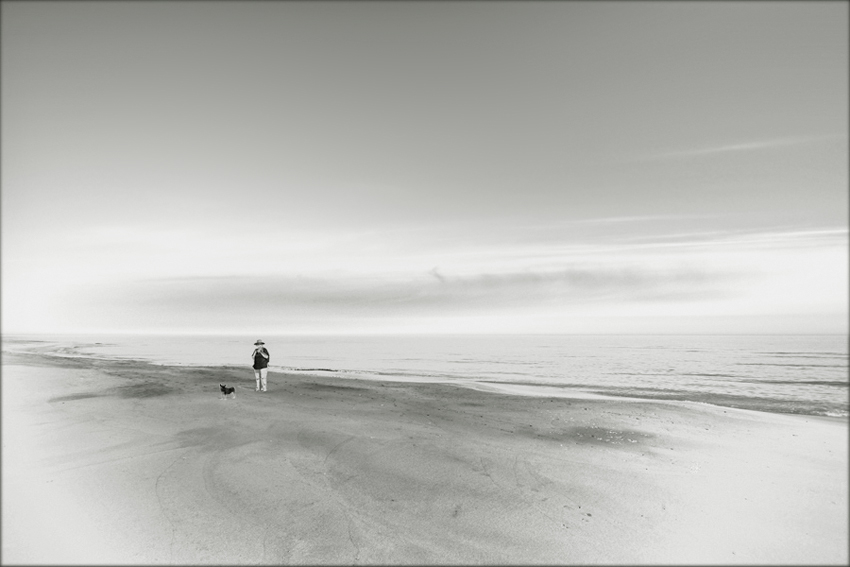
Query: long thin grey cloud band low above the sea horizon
(424, 292)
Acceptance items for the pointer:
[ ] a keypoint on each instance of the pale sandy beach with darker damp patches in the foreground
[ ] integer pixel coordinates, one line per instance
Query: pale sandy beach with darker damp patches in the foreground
(131, 463)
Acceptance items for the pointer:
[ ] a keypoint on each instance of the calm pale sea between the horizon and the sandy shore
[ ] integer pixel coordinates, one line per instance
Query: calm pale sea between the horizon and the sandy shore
(806, 374)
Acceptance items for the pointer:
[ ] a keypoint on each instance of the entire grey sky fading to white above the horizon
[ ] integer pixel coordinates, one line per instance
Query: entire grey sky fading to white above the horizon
(424, 167)
